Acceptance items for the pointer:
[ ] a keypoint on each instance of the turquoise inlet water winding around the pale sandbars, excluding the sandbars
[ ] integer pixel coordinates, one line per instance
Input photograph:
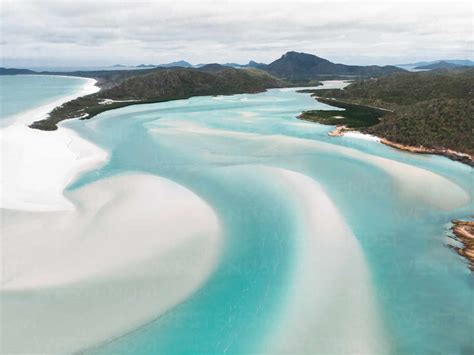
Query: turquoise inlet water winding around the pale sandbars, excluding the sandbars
(215, 146)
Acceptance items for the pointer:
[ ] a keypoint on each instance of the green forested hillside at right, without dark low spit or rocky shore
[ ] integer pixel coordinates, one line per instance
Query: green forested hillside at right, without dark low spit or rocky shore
(431, 109)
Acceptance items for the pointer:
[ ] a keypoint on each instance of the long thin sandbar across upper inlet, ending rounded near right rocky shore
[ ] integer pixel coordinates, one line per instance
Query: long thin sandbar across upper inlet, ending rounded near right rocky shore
(416, 183)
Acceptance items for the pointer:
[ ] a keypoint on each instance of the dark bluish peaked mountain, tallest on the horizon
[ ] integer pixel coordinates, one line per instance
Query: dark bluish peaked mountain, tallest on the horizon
(301, 66)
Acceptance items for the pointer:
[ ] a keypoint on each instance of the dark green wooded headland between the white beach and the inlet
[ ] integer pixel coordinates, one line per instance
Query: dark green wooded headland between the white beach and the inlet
(164, 84)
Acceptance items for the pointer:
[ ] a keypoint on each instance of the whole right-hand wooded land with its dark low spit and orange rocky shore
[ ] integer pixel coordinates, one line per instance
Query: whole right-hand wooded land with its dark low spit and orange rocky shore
(424, 112)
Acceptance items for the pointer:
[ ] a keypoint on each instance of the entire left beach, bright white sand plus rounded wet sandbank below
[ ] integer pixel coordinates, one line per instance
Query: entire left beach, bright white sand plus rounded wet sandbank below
(71, 264)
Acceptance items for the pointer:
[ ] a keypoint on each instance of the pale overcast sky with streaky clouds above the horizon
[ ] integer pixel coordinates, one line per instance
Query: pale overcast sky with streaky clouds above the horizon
(107, 32)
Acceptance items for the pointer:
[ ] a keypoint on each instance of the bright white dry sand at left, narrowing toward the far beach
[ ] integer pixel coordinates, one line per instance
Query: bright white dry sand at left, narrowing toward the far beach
(38, 172)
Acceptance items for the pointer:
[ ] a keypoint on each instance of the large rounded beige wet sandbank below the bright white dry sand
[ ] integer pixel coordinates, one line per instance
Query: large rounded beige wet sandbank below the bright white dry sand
(73, 279)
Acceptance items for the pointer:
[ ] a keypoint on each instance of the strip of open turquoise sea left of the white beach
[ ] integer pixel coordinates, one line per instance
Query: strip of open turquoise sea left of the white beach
(20, 93)
